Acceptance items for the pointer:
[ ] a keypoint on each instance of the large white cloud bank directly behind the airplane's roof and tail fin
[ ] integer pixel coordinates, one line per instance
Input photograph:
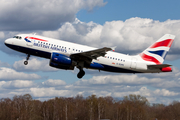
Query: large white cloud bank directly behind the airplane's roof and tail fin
(131, 36)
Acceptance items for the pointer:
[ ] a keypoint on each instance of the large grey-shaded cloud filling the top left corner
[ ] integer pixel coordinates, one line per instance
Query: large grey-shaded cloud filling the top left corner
(41, 14)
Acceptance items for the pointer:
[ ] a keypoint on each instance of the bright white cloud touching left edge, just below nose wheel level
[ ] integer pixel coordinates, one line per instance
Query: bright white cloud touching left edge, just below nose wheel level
(10, 74)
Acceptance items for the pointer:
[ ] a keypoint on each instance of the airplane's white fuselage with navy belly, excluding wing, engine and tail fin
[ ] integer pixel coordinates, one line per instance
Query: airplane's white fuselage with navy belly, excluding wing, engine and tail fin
(112, 61)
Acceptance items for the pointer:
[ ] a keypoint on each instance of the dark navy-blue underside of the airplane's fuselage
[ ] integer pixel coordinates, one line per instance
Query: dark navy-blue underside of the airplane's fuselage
(48, 56)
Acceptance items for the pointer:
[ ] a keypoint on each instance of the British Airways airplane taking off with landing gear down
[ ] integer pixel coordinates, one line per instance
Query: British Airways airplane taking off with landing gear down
(66, 55)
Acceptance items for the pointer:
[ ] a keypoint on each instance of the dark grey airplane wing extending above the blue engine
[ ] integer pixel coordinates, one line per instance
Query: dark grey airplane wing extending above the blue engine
(89, 55)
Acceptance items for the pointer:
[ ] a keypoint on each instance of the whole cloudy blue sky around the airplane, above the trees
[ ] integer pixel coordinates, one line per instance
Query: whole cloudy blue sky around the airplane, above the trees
(130, 25)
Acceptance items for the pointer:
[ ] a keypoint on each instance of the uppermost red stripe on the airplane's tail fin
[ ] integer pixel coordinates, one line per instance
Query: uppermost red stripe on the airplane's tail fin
(165, 43)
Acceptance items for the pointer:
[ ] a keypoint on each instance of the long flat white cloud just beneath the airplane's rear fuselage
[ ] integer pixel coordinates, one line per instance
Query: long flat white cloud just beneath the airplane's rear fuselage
(123, 79)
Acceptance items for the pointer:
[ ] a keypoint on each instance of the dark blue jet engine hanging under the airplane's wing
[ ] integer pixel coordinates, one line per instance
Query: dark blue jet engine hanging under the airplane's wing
(61, 61)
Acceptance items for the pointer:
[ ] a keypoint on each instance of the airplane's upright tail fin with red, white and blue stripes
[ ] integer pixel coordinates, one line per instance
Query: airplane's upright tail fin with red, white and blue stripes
(157, 52)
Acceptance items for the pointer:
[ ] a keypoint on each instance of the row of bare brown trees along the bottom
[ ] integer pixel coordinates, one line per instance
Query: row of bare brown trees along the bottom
(132, 107)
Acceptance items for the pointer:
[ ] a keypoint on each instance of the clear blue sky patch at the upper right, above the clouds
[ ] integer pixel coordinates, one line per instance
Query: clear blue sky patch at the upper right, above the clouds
(124, 9)
